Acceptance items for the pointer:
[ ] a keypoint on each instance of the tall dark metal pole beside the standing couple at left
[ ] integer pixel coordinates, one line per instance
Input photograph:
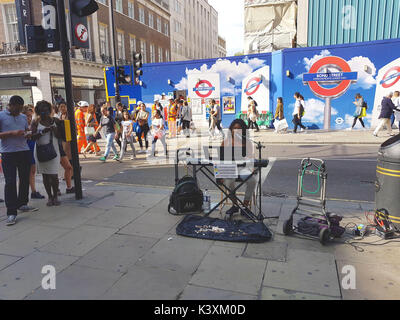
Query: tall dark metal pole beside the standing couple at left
(65, 53)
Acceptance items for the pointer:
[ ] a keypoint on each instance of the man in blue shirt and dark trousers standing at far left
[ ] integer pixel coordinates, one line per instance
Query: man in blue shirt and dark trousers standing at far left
(15, 155)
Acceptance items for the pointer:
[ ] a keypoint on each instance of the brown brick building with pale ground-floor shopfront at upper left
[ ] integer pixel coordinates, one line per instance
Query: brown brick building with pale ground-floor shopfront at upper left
(140, 26)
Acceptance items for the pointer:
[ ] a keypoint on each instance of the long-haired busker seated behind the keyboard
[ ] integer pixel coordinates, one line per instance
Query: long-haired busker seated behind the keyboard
(237, 139)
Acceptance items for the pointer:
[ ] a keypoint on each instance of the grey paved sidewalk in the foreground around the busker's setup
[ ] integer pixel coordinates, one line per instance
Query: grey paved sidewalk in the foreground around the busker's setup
(120, 243)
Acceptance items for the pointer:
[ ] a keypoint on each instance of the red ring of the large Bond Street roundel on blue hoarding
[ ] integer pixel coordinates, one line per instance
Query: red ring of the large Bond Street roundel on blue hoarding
(337, 91)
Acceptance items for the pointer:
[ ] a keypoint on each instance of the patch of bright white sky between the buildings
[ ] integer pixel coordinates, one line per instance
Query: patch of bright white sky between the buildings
(231, 23)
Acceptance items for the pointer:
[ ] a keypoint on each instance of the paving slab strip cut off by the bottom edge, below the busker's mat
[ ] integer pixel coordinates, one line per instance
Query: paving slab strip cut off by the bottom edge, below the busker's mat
(202, 293)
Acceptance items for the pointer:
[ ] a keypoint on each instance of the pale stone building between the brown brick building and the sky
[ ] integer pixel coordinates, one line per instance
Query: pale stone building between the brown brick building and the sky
(194, 30)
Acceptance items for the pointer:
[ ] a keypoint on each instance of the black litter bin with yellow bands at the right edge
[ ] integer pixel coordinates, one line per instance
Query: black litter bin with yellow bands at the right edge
(388, 180)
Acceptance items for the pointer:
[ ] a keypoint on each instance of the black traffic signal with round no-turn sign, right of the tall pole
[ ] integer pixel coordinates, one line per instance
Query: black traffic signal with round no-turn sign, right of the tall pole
(79, 10)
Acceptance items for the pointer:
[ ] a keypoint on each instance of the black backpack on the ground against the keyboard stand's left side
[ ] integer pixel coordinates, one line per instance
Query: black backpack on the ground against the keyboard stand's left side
(186, 197)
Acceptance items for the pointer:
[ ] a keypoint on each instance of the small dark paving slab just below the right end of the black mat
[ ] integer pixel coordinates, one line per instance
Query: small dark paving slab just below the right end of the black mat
(271, 251)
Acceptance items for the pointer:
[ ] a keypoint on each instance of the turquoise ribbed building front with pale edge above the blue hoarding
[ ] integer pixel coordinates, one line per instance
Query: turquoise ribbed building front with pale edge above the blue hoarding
(323, 23)
